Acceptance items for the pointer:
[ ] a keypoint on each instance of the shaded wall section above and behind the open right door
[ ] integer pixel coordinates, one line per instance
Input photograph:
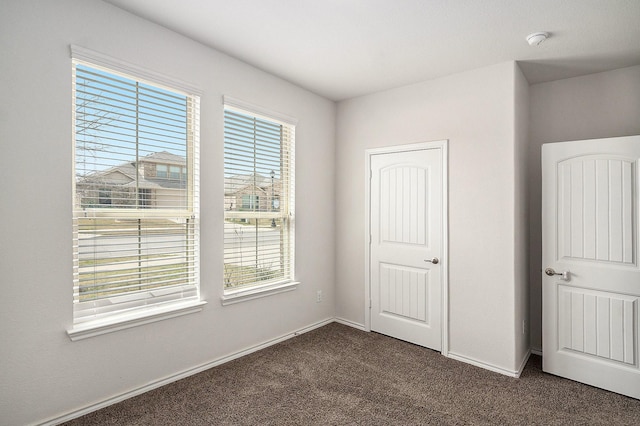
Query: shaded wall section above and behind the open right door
(594, 106)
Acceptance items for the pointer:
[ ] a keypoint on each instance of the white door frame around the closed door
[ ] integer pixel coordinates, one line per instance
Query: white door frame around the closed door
(442, 145)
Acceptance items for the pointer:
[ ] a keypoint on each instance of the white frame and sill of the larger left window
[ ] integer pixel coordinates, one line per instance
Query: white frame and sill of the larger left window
(152, 312)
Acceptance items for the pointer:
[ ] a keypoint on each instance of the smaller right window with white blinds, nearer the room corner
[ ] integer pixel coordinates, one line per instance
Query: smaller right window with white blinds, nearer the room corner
(259, 198)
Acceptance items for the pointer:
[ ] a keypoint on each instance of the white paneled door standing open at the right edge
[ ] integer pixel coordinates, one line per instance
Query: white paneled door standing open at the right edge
(590, 230)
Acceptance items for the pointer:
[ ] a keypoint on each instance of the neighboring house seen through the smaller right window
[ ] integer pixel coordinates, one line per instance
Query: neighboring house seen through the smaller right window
(252, 192)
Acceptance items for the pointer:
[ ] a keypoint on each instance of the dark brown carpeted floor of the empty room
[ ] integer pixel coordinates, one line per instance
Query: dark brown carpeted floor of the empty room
(337, 375)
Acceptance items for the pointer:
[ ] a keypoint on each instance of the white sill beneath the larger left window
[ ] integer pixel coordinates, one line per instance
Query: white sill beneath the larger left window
(122, 322)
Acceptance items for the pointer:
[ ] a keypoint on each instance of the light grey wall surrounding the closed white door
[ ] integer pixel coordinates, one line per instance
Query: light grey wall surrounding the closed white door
(475, 112)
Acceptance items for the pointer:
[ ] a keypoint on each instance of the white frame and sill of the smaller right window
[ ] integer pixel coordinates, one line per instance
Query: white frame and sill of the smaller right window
(288, 283)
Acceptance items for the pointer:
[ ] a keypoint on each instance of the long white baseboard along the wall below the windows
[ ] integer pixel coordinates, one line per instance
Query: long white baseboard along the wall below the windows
(178, 376)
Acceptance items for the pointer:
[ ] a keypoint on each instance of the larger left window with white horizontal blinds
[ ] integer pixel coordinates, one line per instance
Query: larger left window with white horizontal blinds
(135, 238)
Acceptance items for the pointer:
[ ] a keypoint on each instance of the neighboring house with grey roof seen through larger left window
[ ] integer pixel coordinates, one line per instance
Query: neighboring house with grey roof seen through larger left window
(159, 180)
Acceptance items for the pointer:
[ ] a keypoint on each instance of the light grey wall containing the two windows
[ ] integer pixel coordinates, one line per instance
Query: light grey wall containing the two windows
(42, 373)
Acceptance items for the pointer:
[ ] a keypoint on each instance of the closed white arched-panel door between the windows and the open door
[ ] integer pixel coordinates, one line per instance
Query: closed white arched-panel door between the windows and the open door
(406, 245)
